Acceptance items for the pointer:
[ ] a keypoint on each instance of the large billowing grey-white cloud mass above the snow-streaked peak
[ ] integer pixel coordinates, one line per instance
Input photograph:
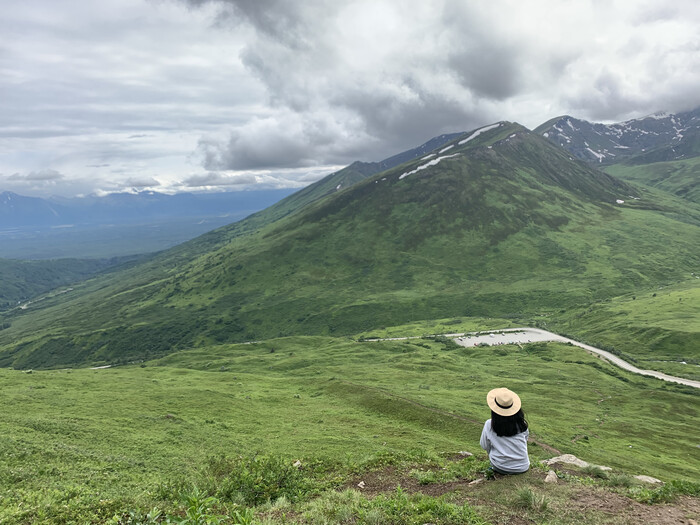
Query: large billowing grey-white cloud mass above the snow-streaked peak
(392, 77)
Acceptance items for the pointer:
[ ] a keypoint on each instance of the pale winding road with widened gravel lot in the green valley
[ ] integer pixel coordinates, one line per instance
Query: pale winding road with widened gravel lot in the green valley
(531, 335)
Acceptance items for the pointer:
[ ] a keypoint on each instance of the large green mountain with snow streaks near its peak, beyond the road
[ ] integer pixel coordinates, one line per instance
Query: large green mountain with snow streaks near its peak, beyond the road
(496, 222)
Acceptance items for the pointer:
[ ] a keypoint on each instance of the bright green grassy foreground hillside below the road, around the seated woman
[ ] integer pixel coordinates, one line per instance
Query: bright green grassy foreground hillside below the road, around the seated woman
(85, 445)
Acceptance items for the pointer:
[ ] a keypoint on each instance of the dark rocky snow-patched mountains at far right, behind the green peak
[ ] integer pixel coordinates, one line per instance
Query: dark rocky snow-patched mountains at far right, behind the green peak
(657, 138)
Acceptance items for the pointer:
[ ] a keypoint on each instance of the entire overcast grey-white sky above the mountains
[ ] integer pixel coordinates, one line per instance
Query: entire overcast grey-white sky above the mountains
(189, 95)
